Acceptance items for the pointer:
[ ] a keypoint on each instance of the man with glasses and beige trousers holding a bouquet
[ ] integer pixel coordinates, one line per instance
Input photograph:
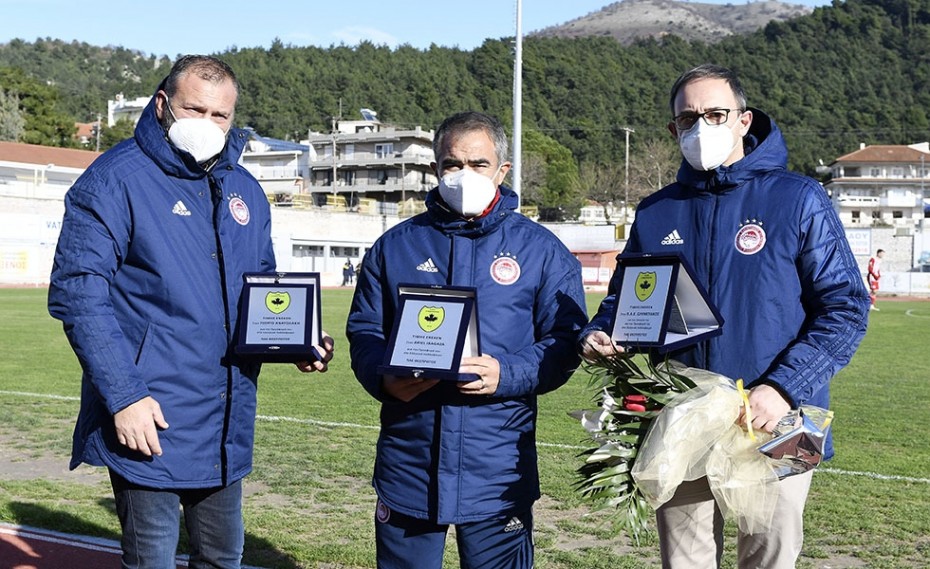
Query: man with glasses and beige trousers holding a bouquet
(770, 250)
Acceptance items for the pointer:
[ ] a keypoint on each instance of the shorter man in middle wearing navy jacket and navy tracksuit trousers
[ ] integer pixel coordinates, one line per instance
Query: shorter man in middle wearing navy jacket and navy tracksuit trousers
(464, 453)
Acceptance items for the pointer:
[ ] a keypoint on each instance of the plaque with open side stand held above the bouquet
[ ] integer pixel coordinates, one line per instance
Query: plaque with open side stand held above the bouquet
(660, 305)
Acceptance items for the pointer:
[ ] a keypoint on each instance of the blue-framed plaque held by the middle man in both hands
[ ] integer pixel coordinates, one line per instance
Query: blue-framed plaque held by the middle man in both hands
(434, 328)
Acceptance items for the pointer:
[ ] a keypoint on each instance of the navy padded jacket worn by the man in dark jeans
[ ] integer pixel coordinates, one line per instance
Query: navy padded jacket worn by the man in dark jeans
(146, 281)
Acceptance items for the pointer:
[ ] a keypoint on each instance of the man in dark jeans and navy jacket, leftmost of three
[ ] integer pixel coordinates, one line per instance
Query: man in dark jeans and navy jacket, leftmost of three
(147, 276)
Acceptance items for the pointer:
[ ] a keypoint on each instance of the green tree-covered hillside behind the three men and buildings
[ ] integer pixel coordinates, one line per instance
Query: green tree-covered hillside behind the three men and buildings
(856, 71)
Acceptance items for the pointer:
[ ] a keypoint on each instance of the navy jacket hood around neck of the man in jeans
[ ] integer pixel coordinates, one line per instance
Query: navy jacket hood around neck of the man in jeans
(151, 138)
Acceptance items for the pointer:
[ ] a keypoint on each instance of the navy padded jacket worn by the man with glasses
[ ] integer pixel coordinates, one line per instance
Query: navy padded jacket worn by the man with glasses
(769, 248)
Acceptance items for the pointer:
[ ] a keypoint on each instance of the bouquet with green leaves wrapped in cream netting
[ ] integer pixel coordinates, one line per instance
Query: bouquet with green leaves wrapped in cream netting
(660, 425)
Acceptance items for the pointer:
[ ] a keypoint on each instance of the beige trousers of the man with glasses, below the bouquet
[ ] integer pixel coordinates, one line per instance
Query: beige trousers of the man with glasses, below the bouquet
(691, 529)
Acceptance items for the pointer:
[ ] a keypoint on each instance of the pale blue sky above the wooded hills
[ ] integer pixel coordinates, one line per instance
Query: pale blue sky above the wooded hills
(173, 27)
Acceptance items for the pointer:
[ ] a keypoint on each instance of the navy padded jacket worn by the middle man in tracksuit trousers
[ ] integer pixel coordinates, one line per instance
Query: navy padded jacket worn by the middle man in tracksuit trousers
(445, 456)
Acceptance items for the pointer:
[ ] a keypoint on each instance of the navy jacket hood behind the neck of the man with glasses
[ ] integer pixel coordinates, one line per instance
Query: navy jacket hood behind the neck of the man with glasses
(765, 151)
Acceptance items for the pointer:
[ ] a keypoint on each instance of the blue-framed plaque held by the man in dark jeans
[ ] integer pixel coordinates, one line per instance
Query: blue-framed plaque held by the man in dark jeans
(279, 317)
